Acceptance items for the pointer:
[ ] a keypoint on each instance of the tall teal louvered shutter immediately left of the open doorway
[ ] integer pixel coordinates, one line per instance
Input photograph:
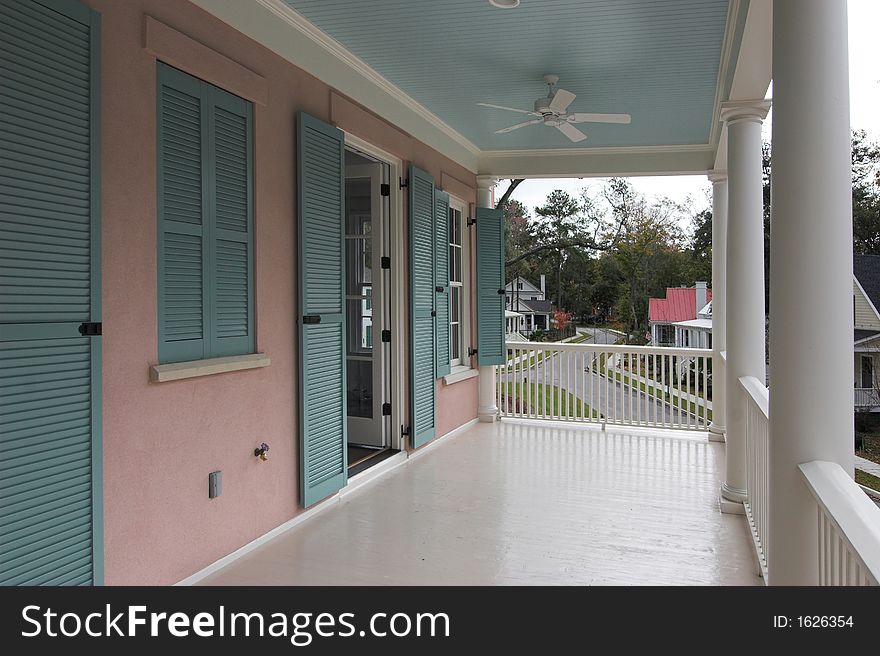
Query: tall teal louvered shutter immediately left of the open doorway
(322, 399)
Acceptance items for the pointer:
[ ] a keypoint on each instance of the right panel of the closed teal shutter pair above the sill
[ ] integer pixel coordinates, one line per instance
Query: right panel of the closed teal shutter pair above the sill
(230, 190)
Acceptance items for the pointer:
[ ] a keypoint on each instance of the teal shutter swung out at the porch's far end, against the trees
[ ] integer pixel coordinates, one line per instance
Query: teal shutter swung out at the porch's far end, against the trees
(490, 282)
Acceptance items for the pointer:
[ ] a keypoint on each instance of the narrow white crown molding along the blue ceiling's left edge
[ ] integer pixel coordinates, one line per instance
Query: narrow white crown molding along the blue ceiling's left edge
(321, 39)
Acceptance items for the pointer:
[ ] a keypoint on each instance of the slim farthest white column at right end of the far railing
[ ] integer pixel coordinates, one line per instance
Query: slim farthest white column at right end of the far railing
(719, 301)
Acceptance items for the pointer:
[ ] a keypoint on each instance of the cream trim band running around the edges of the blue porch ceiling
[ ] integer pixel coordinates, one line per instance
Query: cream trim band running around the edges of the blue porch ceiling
(277, 26)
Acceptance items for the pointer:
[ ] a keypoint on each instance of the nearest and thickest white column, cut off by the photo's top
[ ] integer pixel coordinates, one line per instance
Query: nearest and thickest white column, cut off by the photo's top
(811, 321)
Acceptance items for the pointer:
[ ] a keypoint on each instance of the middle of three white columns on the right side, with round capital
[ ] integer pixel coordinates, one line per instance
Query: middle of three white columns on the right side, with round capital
(745, 283)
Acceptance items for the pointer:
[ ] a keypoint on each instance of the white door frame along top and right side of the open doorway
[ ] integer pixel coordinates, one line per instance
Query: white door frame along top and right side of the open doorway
(399, 299)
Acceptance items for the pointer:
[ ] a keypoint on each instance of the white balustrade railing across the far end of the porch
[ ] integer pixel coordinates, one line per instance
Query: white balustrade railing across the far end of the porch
(606, 384)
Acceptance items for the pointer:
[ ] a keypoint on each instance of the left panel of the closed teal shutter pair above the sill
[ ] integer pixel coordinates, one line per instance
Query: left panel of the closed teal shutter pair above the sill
(182, 170)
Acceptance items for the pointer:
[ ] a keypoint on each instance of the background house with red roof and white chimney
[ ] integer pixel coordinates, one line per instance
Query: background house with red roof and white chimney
(683, 318)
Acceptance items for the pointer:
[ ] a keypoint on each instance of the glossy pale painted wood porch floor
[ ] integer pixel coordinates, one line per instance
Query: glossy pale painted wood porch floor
(515, 503)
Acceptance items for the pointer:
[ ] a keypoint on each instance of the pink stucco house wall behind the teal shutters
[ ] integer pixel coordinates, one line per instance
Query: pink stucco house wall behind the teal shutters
(162, 440)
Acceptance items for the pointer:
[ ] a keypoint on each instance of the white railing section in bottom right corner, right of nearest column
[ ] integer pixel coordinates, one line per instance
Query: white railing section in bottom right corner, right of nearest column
(849, 526)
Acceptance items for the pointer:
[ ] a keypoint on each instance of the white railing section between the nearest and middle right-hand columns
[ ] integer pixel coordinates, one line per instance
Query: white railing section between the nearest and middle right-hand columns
(757, 464)
